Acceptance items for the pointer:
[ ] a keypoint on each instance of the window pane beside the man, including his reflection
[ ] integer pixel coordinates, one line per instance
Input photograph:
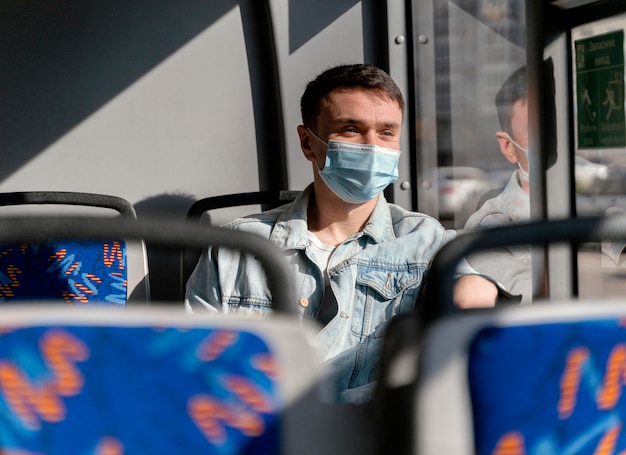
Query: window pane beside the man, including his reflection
(472, 126)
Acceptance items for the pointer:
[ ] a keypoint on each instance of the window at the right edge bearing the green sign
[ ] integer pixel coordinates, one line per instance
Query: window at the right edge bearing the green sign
(599, 146)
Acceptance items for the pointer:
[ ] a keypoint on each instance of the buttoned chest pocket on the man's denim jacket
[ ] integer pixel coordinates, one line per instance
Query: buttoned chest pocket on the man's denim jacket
(382, 294)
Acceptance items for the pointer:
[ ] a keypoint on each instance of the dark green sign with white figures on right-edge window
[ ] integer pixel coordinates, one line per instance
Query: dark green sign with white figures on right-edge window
(600, 91)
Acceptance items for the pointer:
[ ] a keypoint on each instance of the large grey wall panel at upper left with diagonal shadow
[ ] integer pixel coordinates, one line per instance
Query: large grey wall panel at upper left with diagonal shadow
(137, 99)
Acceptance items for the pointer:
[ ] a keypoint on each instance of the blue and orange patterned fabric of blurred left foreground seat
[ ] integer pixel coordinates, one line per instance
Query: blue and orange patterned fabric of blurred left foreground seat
(67, 390)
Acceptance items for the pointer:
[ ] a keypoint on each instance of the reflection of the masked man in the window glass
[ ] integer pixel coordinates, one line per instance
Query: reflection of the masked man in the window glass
(511, 265)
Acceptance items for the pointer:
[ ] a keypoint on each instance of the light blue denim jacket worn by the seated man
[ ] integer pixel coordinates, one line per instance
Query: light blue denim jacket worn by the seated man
(374, 275)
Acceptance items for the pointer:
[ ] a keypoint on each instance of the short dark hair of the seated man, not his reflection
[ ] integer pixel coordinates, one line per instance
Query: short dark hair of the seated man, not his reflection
(356, 76)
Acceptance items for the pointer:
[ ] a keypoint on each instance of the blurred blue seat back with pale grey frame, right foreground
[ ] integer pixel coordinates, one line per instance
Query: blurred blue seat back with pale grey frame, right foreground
(542, 379)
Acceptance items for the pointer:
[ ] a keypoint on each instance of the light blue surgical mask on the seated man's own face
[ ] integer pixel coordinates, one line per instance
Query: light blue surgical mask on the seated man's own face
(358, 172)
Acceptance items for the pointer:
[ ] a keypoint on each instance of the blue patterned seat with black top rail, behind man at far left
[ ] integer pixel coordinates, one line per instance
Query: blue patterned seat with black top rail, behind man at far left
(111, 271)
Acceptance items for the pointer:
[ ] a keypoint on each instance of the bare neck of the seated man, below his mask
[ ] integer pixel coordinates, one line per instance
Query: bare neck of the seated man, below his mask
(333, 220)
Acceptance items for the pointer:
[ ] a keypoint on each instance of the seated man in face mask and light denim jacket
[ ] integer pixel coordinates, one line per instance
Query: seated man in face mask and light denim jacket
(357, 259)
